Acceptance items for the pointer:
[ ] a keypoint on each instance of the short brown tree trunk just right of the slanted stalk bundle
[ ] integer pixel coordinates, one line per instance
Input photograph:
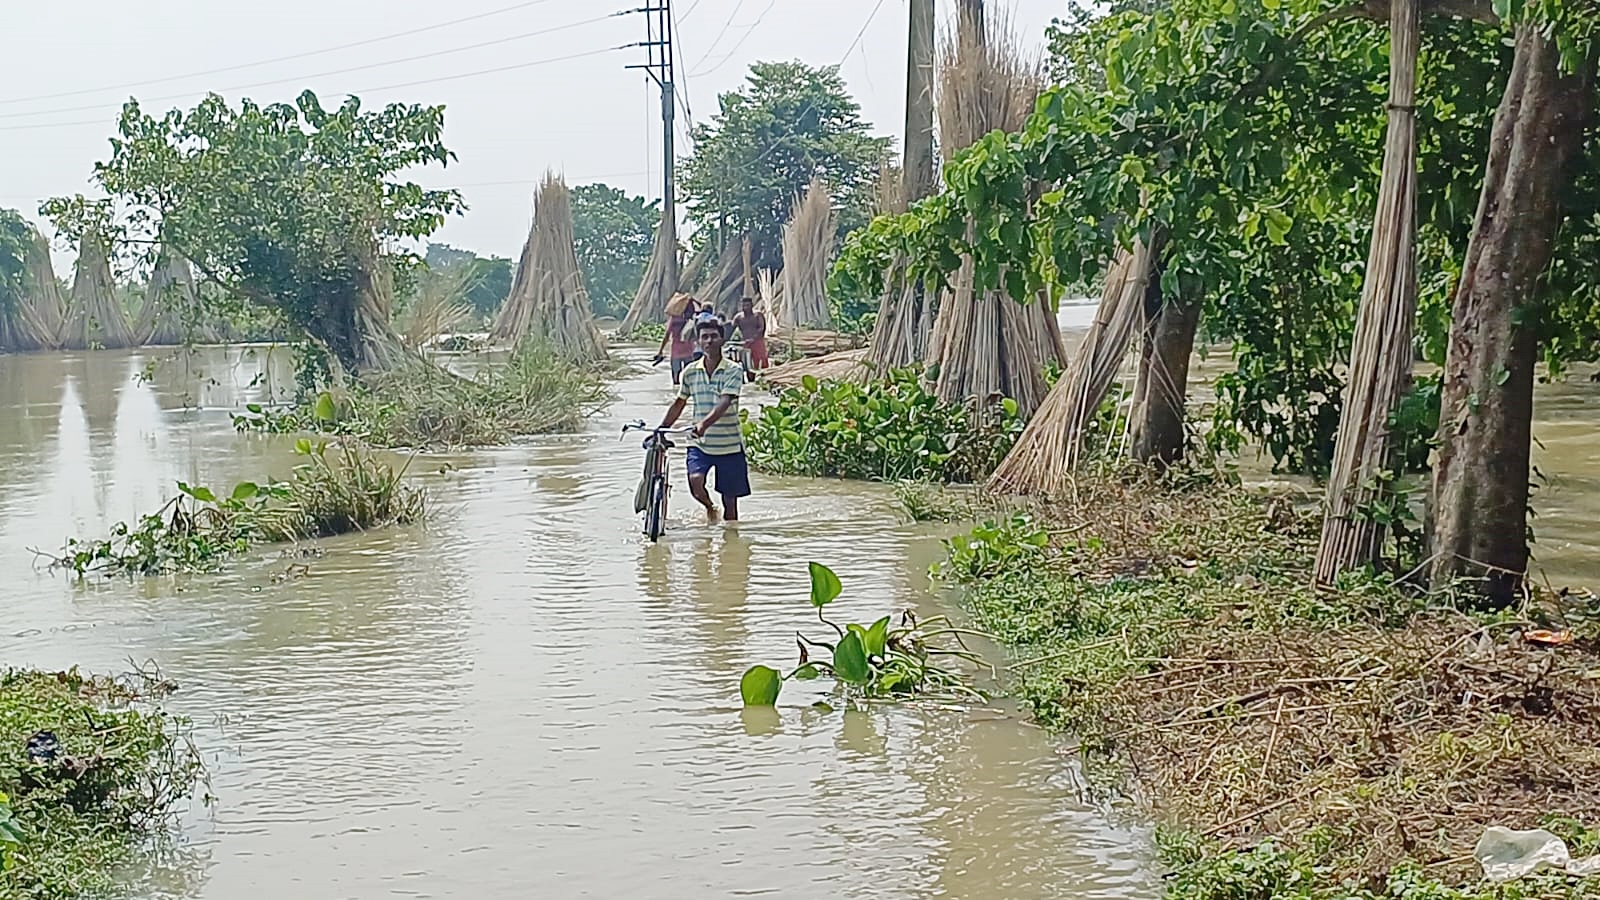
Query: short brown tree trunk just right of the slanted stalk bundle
(1161, 409)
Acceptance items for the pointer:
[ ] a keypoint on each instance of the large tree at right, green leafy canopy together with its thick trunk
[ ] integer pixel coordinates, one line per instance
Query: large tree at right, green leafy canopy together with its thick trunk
(1247, 135)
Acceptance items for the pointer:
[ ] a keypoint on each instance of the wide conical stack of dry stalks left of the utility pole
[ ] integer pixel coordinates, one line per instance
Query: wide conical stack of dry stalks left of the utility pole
(548, 299)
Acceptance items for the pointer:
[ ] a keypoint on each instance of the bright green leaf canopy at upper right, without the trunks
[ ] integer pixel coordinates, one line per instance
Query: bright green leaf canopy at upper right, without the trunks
(1249, 140)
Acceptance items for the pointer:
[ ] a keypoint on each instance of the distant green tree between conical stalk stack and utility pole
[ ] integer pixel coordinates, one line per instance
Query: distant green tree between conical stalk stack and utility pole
(614, 235)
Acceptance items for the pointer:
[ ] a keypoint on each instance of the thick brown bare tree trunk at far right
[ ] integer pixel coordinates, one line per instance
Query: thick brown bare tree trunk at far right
(1481, 481)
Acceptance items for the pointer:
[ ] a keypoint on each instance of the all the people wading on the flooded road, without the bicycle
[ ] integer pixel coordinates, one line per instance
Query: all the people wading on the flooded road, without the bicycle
(710, 387)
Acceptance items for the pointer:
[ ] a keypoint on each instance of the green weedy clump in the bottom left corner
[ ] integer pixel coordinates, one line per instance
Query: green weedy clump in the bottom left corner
(71, 821)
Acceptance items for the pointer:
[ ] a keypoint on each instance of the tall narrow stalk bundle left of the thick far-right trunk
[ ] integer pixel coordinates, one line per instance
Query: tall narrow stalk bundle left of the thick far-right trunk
(1382, 353)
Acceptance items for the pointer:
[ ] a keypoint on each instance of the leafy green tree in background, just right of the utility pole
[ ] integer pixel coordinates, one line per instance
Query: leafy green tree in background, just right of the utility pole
(764, 147)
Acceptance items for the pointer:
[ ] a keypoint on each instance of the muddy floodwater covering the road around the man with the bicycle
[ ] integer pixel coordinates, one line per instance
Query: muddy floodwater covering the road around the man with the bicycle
(522, 699)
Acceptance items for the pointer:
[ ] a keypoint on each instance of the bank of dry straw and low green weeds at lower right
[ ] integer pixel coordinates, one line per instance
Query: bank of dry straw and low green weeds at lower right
(1177, 637)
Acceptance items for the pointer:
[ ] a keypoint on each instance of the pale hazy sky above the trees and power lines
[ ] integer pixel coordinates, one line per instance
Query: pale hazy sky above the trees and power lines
(73, 63)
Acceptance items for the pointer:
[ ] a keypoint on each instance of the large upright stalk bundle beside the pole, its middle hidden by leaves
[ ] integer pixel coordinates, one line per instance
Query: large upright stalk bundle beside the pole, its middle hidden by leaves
(985, 342)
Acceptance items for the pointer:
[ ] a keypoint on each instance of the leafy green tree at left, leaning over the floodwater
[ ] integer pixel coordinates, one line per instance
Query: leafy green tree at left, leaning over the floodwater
(290, 206)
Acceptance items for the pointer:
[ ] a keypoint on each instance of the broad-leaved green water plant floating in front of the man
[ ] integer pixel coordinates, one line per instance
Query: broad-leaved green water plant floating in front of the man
(870, 662)
